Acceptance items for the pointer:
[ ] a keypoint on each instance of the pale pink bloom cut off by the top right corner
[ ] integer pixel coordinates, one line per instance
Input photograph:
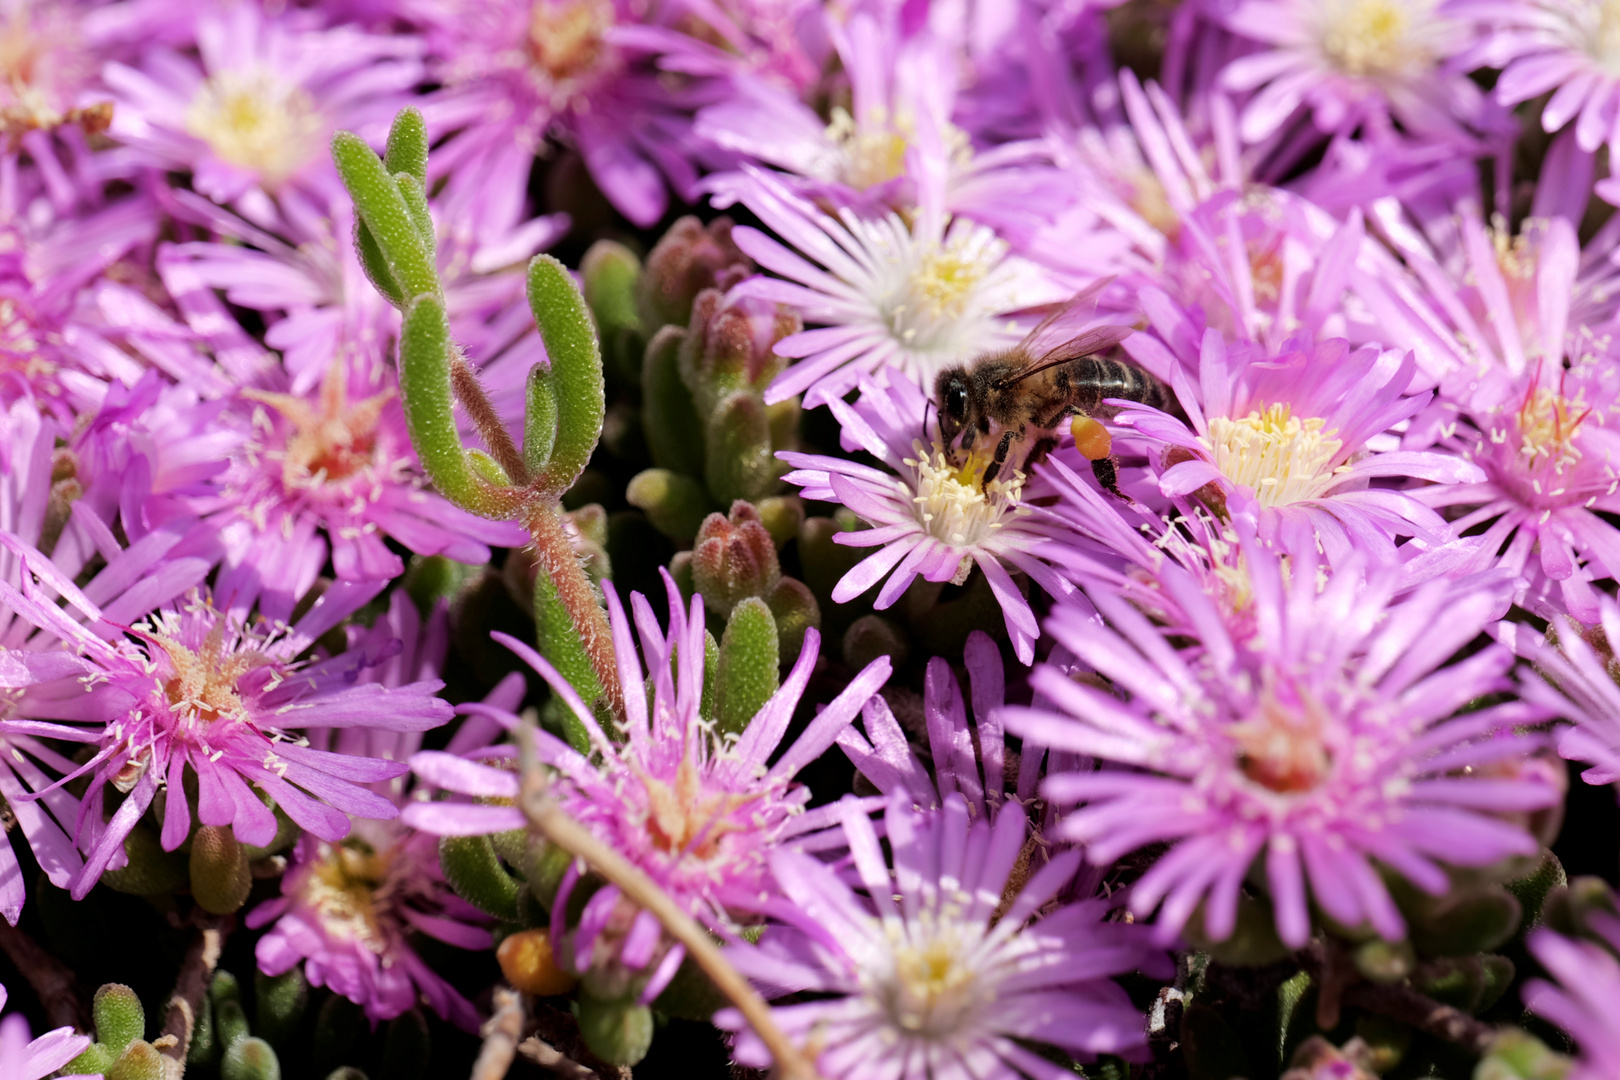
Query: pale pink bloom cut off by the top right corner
(1569, 48)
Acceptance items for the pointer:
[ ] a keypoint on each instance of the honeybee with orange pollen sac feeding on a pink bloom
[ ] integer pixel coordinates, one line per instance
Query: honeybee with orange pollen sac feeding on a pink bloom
(1028, 391)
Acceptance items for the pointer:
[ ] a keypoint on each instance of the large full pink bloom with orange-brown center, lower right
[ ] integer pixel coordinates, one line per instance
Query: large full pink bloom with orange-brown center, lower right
(1329, 741)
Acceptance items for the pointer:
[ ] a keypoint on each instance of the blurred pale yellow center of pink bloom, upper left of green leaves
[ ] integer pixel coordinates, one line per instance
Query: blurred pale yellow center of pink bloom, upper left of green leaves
(258, 122)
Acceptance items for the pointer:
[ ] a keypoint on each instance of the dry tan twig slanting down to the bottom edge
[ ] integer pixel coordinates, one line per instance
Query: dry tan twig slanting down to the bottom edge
(556, 827)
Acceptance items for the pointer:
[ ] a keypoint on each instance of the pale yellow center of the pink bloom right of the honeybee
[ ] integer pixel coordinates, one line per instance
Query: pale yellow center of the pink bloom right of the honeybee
(1276, 454)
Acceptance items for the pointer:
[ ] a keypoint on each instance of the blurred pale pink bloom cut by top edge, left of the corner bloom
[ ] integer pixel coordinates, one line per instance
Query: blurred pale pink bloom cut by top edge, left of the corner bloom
(1352, 62)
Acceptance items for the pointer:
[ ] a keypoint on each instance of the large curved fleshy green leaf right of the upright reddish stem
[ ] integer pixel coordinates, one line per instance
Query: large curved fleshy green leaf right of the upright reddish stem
(576, 370)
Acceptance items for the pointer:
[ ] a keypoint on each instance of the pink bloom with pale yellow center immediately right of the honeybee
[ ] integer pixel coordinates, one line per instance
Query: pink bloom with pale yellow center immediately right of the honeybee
(1298, 438)
